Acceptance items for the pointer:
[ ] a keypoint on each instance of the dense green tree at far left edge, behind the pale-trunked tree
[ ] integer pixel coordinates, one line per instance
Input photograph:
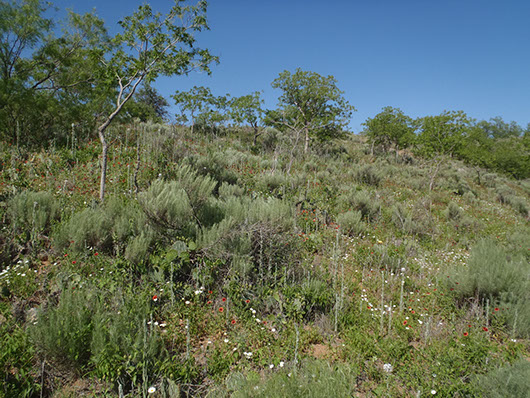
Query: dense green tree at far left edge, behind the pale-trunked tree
(46, 80)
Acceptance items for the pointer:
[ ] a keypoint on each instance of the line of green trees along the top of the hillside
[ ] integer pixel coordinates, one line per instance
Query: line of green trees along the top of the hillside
(84, 79)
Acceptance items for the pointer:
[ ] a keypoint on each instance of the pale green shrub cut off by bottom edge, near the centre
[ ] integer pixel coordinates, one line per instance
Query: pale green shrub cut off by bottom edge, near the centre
(314, 379)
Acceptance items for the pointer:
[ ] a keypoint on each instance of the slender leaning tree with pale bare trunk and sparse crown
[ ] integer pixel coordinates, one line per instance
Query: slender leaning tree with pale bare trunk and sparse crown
(151, 45)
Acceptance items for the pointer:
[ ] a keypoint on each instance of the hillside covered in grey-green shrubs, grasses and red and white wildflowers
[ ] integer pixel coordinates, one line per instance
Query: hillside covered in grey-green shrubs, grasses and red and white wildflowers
(222, 269)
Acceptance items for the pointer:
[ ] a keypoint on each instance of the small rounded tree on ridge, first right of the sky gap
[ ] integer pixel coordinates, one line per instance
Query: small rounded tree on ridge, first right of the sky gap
(390, 127)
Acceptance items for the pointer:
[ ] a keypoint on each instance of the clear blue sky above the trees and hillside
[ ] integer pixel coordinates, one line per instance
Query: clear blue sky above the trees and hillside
(423, 56)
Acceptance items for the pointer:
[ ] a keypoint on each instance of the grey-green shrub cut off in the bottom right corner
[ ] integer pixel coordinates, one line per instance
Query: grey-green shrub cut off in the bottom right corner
(512, 381)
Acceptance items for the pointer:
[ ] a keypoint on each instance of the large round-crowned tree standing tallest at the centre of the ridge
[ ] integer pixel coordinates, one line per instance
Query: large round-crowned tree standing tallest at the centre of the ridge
(310, 104)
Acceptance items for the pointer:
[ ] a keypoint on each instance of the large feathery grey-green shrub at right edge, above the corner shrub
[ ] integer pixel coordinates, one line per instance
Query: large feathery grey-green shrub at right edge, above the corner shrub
(496, 279)
